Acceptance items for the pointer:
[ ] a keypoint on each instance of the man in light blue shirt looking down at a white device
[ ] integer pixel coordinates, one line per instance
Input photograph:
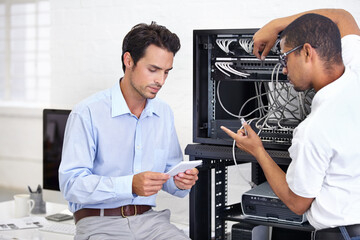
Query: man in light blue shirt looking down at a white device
(119, 143)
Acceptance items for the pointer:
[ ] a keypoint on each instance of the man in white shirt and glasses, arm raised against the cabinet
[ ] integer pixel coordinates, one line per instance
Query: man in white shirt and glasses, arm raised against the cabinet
(320, 50)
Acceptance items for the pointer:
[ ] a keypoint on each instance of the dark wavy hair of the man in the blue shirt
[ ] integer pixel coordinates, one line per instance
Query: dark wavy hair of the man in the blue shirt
(142, 35)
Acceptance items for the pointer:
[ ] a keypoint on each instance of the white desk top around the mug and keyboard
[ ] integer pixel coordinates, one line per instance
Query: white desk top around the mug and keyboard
(7, 212)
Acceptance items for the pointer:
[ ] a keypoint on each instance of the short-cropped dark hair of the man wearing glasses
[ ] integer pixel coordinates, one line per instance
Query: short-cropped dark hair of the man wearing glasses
(320, 32)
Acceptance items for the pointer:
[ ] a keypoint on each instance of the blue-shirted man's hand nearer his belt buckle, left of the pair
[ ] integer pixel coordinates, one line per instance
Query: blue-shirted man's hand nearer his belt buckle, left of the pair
(148, 183)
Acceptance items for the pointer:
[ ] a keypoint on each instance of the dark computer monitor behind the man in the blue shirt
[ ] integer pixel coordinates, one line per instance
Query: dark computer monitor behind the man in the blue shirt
(54, 122)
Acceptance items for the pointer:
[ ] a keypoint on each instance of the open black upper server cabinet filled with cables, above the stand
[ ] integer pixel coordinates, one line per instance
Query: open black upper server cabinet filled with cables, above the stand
(229, 82)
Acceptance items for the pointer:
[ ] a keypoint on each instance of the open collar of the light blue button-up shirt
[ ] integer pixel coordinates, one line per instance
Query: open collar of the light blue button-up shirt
(120, 107)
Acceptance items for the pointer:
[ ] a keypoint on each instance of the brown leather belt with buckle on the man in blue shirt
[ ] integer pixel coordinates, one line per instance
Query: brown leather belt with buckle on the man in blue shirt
(124, 211)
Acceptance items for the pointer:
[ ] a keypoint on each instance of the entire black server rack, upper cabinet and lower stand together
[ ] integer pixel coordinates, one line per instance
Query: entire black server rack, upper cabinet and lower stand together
(229, 83)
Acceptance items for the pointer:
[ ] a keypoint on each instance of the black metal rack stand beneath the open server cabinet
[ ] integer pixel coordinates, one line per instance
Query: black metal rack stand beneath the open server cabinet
(219, 158)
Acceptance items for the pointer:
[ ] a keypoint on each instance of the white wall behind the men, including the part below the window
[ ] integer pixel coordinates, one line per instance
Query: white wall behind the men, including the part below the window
(86, 49)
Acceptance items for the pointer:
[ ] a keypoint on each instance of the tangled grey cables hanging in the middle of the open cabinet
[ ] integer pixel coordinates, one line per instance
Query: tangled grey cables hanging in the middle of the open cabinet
(284, 103)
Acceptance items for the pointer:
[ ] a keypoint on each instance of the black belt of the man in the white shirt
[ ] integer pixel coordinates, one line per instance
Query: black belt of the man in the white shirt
(335, 233)
